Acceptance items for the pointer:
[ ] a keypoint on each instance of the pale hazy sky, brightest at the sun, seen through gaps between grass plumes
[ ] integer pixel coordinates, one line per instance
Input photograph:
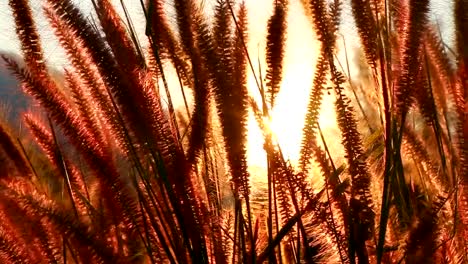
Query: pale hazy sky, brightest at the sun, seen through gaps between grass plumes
(300, 59)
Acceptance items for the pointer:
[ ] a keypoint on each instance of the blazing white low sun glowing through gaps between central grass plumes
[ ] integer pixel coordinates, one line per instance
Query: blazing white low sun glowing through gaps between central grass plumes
(286, 122)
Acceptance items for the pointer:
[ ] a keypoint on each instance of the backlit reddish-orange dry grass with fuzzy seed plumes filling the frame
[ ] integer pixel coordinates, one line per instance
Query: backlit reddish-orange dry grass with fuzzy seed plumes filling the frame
(129, 180)
